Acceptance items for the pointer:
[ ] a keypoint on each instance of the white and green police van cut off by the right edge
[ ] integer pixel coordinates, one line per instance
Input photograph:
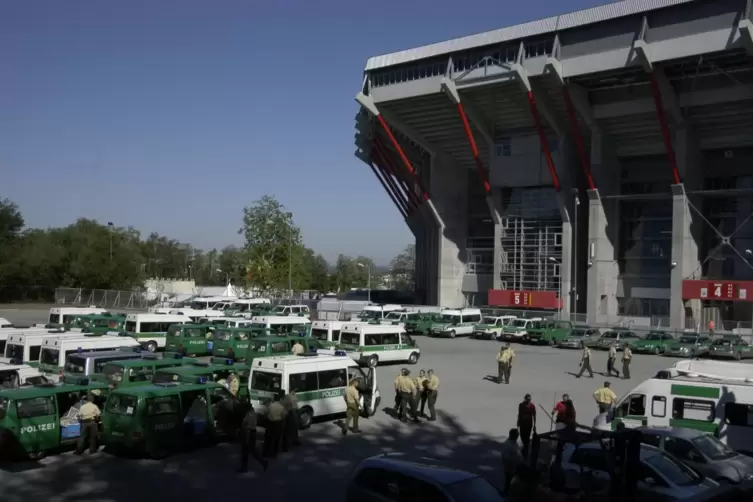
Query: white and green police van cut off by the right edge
(709, 396)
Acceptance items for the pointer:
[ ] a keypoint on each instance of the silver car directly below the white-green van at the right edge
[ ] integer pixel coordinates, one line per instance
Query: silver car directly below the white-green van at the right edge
(703, 452)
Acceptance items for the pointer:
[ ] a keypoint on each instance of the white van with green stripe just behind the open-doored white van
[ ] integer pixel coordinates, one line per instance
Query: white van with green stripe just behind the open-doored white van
(371, 344)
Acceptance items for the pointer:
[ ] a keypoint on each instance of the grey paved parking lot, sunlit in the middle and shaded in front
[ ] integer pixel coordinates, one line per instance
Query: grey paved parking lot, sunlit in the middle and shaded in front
(474, 415)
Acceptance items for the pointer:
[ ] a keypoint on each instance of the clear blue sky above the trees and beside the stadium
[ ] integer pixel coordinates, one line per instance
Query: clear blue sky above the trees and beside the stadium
(171, 115)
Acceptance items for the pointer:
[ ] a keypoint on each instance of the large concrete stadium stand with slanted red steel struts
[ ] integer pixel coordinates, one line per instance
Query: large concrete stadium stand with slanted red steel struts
(598, 162)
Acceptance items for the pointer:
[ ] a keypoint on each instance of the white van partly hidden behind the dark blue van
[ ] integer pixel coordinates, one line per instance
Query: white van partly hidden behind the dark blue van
(56, 350)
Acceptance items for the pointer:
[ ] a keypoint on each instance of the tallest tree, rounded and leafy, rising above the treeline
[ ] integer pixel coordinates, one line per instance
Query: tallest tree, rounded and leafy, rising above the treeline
(272, 243)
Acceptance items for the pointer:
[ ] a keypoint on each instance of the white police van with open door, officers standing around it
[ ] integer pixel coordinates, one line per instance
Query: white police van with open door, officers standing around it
(319, 382)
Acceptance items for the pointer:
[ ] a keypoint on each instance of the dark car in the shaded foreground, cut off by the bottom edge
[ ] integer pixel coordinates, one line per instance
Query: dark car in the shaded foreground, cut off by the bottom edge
(399, 477)
